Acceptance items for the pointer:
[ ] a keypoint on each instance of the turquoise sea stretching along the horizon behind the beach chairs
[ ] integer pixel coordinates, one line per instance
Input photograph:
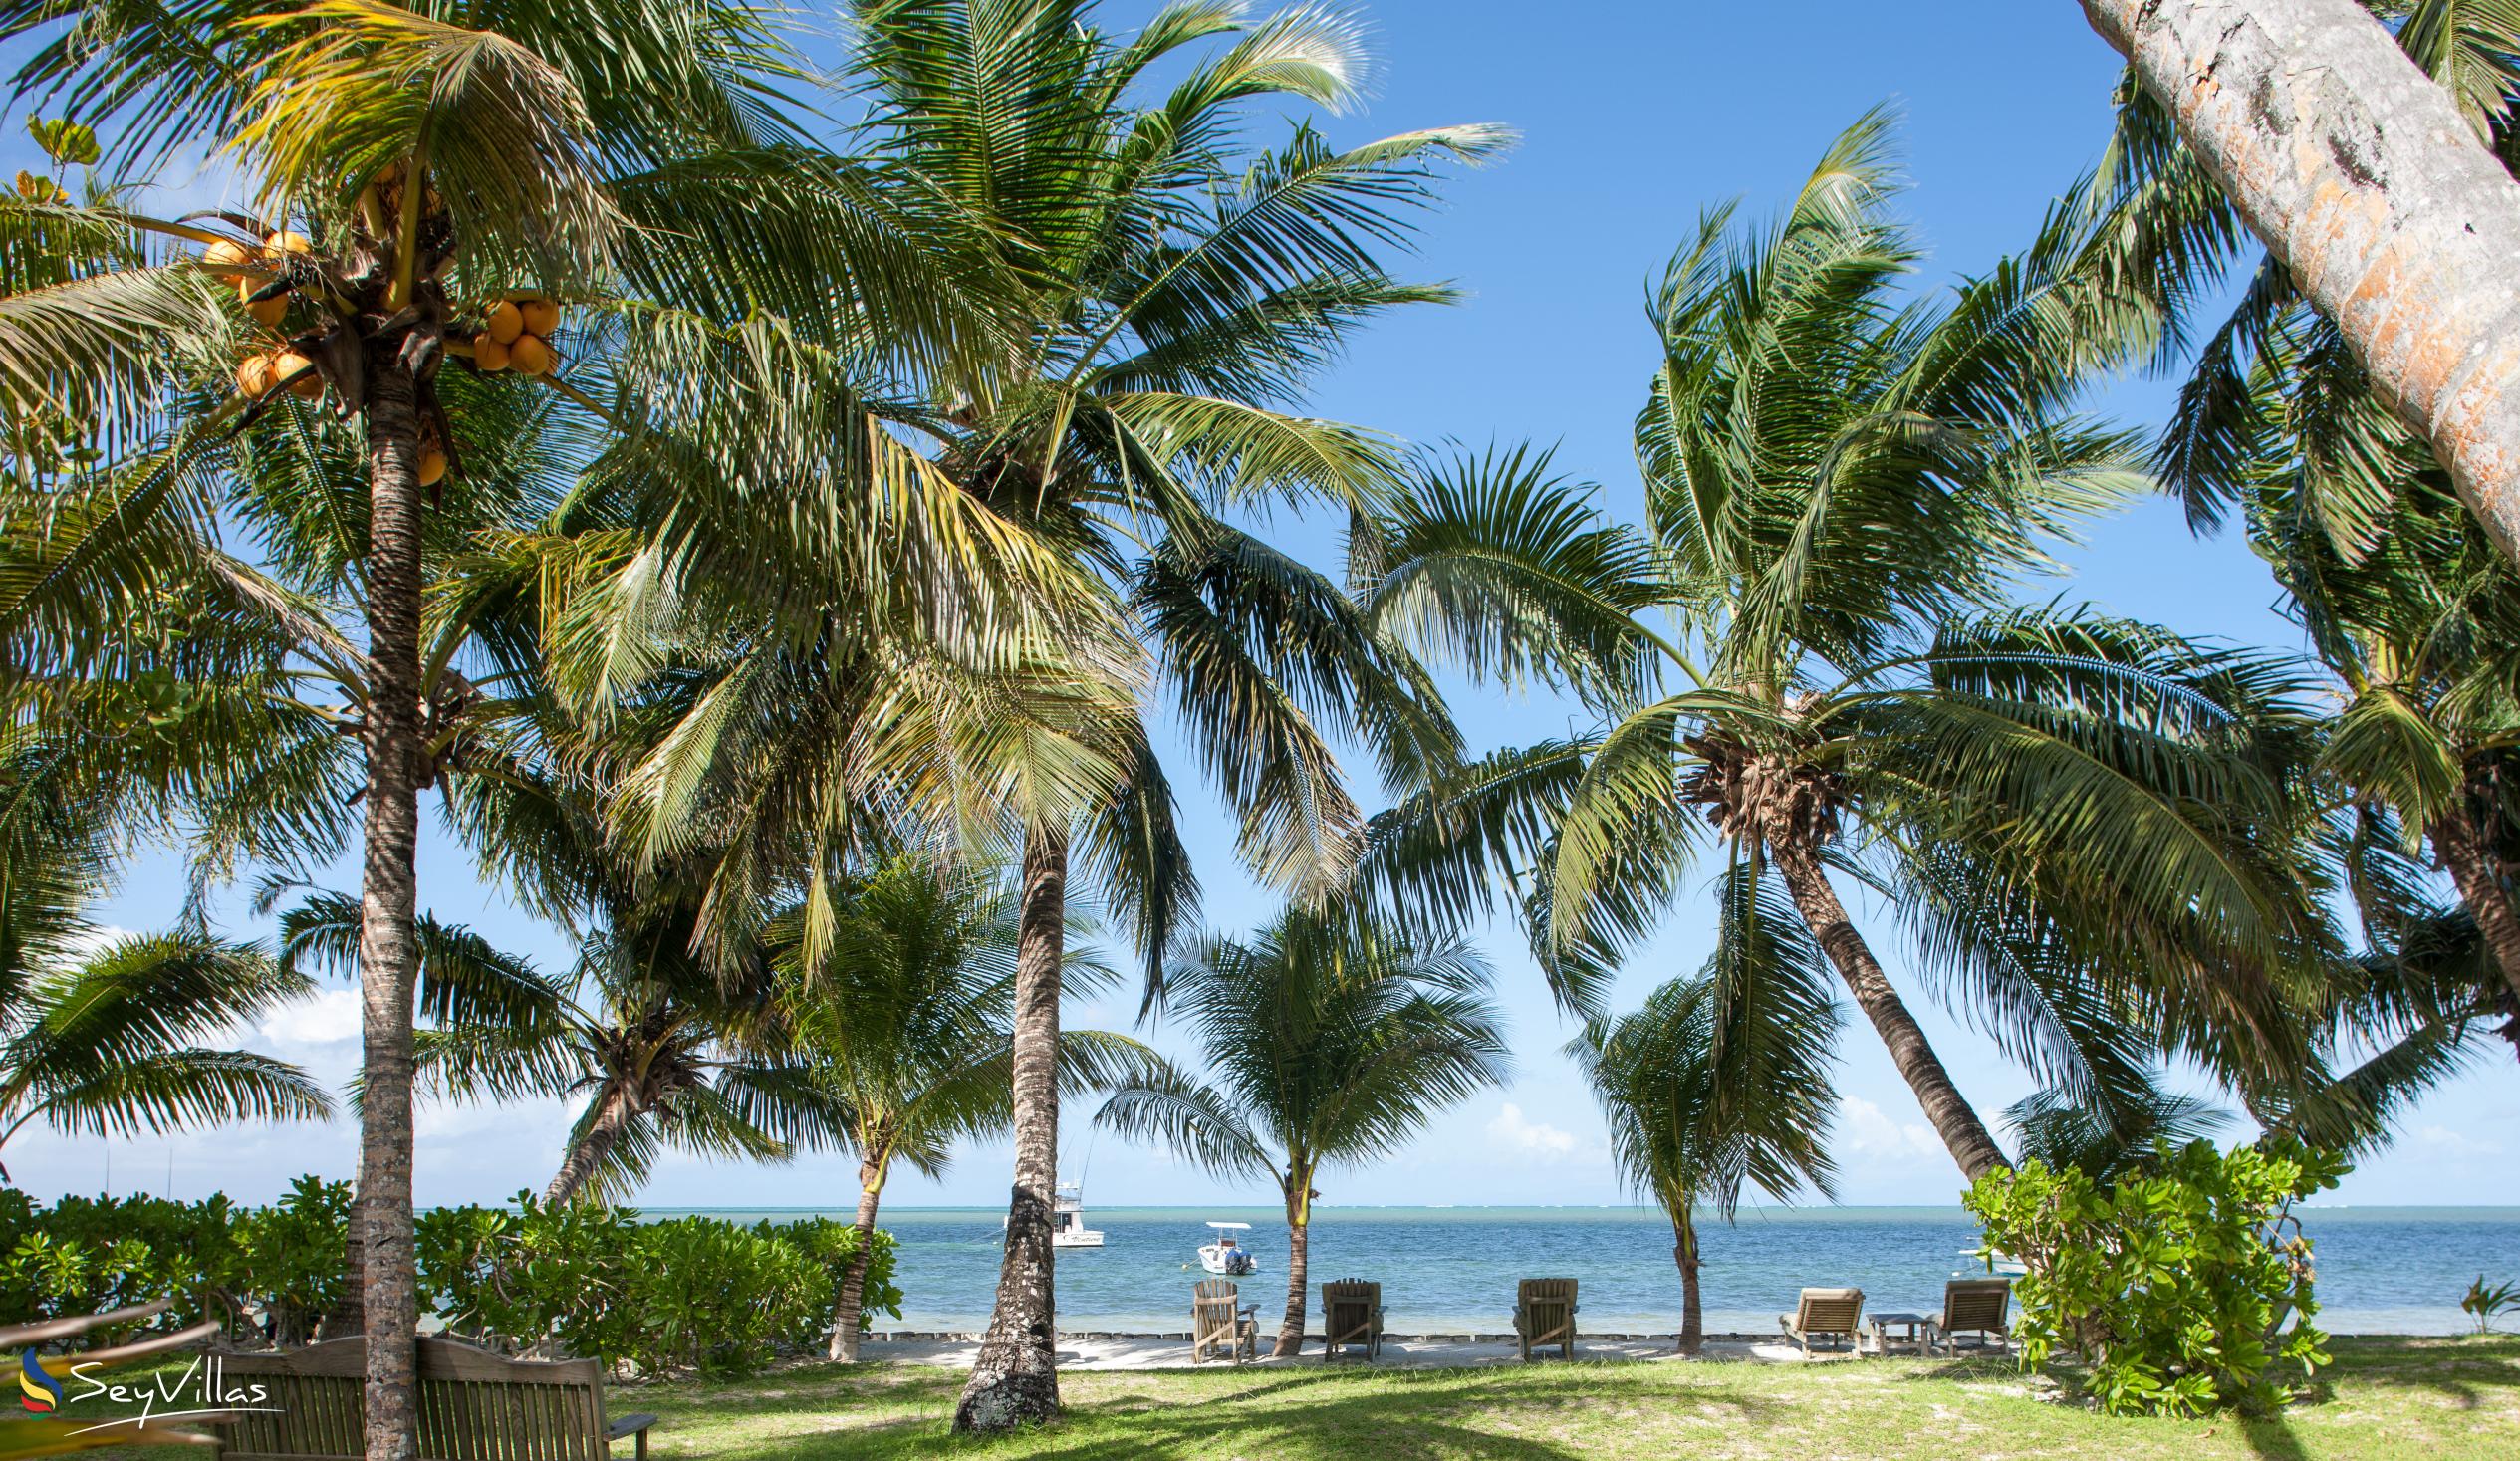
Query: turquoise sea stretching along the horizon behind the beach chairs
(1453, 1268)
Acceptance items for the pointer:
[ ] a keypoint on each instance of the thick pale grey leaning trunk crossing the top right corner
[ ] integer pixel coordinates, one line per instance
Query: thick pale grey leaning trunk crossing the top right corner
(2370, 188)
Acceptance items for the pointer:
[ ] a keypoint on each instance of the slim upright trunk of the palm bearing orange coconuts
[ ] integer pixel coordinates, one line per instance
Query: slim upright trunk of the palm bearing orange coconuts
(389, 901)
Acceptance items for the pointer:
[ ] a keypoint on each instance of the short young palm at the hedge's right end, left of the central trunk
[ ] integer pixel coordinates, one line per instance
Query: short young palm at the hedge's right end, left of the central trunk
(906, 1032)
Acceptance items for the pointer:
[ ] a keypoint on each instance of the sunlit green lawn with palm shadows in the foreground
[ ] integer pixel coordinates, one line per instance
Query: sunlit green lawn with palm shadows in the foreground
(2408, 1399)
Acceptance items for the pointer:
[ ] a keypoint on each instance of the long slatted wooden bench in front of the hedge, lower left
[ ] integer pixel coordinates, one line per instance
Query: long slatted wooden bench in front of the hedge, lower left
(475, 1407)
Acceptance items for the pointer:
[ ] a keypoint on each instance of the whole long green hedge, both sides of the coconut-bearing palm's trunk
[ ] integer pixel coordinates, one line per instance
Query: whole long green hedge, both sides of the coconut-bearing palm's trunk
(538, 1281)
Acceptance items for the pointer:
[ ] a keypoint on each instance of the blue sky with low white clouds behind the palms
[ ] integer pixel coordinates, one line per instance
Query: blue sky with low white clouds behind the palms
(1634, 117)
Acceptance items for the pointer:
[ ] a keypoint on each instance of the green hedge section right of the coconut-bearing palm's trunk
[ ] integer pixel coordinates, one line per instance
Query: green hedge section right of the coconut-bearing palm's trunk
(679, 1293)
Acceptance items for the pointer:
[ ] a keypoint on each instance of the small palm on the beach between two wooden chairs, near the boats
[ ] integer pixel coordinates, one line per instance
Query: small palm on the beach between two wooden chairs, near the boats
(1329, 1042)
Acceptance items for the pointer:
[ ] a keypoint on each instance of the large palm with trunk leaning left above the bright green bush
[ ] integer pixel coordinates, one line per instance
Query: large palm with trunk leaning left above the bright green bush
(2080, 817)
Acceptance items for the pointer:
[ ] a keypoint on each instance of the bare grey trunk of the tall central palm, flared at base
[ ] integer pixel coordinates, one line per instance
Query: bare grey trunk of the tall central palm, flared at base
(1017, 1374)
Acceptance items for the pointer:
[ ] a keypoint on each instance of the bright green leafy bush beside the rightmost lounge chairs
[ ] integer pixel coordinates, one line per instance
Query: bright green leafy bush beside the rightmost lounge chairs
(2184, 1286)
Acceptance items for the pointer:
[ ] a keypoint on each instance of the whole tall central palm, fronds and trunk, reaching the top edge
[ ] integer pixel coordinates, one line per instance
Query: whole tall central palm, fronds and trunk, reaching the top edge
(1173, 293)
